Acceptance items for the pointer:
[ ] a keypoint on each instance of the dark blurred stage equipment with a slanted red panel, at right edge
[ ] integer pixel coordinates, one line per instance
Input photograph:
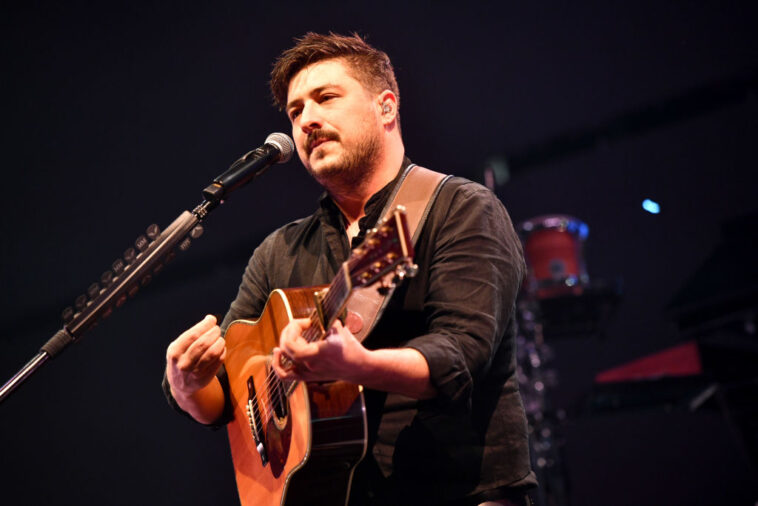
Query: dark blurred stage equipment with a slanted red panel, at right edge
(715, 313)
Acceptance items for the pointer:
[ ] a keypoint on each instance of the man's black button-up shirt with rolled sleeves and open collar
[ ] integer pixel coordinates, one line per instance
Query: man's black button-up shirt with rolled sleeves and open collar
(458, 311)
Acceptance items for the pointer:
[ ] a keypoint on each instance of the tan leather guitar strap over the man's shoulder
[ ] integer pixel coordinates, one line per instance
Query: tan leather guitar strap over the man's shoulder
(417, 190)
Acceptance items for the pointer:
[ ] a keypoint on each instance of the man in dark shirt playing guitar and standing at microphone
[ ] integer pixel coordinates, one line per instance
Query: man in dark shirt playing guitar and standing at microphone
(446, 423)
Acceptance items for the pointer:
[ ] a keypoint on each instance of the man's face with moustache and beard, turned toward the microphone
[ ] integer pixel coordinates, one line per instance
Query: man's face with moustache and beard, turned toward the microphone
(336, 122)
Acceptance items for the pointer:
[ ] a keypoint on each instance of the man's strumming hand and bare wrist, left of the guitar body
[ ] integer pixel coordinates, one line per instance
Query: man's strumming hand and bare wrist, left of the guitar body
(192, 361)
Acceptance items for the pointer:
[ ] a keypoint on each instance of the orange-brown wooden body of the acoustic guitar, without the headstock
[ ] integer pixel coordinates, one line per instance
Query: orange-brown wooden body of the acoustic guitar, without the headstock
(291, 449)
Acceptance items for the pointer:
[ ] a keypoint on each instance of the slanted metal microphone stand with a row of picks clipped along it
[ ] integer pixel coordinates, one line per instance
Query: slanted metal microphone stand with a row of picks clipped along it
(137, 269)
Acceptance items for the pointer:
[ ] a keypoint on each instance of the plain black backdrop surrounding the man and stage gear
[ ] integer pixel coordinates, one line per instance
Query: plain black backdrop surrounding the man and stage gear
(116, 115)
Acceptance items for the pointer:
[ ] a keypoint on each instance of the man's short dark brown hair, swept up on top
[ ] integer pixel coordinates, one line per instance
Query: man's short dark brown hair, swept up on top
(369, 65)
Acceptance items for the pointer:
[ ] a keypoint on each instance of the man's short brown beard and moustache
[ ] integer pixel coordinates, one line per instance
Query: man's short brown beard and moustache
(353, 167)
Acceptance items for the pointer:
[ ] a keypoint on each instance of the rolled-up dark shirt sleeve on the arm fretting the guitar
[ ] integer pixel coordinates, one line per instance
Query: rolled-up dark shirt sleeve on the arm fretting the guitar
(475, 273)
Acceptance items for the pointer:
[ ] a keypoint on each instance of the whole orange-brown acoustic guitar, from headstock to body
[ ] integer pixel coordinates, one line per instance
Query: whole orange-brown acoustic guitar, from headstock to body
(298, 443)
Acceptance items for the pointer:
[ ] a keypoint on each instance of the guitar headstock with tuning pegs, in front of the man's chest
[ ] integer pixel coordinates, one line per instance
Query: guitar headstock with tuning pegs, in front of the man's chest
(386, 248)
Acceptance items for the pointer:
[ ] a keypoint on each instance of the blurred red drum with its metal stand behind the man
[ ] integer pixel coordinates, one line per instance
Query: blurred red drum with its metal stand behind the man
(557, 299)
